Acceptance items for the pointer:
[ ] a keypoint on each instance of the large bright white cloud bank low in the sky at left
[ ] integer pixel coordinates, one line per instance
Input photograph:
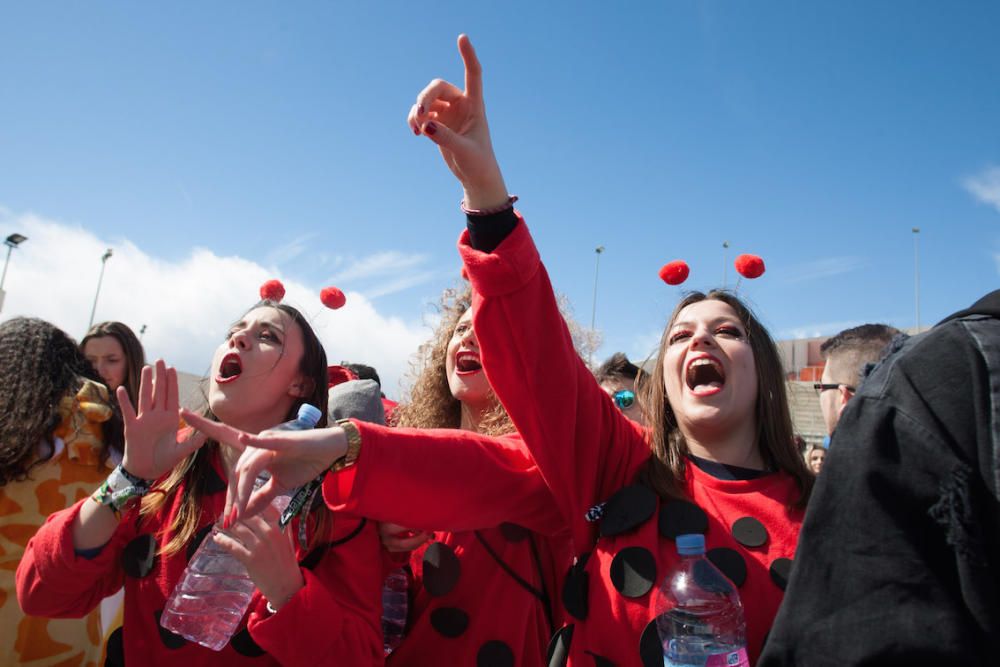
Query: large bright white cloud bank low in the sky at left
(187, 305)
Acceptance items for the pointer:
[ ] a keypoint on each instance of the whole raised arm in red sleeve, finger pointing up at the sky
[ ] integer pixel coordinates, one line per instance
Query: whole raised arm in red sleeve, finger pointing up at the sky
(585, 449)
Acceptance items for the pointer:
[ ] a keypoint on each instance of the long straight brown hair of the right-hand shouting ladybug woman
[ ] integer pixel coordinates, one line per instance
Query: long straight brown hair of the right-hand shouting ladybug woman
(665, 469)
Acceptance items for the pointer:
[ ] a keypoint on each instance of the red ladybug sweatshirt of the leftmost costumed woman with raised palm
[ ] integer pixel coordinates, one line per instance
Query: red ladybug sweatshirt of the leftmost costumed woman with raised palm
(333, 619)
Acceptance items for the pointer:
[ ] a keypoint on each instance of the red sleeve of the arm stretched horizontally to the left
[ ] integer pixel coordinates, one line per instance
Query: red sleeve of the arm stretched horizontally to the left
(443, 479)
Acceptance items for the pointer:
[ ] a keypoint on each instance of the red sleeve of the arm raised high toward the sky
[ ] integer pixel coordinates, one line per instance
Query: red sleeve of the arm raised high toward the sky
(585, 448)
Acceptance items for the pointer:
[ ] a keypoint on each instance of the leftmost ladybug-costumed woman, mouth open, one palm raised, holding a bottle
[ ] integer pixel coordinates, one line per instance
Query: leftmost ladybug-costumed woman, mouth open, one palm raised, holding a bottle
(318, 585)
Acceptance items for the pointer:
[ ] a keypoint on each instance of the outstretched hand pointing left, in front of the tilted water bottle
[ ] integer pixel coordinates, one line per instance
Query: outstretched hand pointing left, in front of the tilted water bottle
(293, 458)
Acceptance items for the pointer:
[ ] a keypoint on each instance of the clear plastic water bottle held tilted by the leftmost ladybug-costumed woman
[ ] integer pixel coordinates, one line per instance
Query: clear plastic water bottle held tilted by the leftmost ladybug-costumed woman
(213, 594)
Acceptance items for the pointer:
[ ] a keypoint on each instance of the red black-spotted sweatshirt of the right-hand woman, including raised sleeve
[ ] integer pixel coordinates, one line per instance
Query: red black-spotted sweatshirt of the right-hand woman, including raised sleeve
(588, 452)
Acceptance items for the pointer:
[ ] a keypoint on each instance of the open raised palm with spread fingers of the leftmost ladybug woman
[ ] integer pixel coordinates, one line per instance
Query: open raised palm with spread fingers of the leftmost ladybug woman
(151, 446)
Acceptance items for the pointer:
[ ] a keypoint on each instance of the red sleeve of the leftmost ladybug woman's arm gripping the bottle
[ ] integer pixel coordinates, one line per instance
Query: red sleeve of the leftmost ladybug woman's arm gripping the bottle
(336, 618)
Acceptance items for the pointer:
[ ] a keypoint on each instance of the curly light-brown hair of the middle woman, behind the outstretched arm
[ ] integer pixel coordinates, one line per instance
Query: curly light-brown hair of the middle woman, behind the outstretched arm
(431, 404)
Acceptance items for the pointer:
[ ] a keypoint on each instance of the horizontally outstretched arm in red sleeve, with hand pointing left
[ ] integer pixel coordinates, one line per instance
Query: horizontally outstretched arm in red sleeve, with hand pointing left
(439, 479)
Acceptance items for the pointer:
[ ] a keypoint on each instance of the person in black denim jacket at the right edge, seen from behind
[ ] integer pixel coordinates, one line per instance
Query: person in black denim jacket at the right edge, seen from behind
(899, 556)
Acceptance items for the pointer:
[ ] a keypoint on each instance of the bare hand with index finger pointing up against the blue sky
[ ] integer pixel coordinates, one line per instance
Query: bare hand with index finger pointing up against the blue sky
(455, 120)
